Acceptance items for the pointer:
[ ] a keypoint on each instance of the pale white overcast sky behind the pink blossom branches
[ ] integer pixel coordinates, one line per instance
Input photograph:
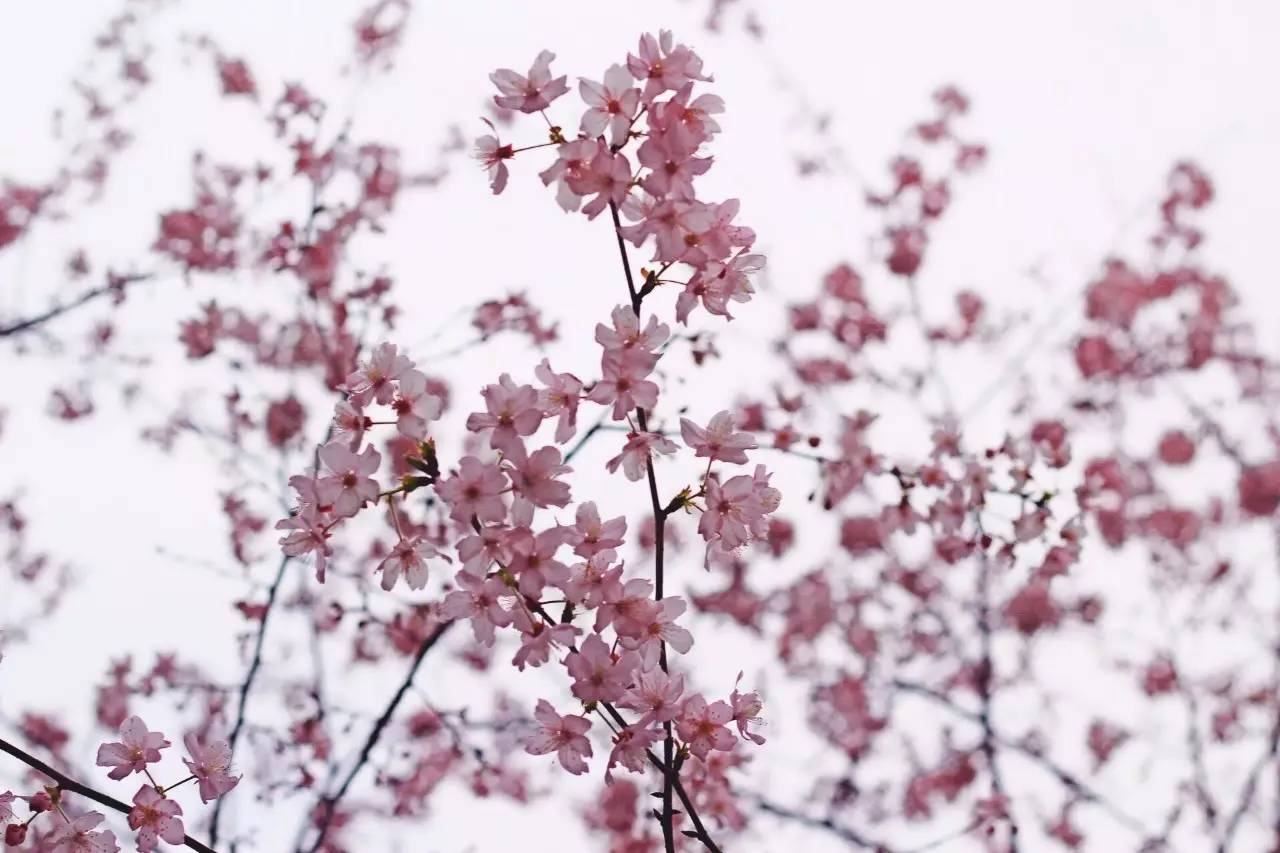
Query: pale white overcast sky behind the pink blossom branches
(1085, 108)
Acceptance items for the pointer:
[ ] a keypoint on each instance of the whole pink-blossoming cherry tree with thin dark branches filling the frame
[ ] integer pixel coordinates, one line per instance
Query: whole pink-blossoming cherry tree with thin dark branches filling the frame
(865, 581)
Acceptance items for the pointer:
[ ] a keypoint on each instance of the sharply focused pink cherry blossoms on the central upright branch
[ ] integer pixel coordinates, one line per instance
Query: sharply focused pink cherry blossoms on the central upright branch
(615, 630)
